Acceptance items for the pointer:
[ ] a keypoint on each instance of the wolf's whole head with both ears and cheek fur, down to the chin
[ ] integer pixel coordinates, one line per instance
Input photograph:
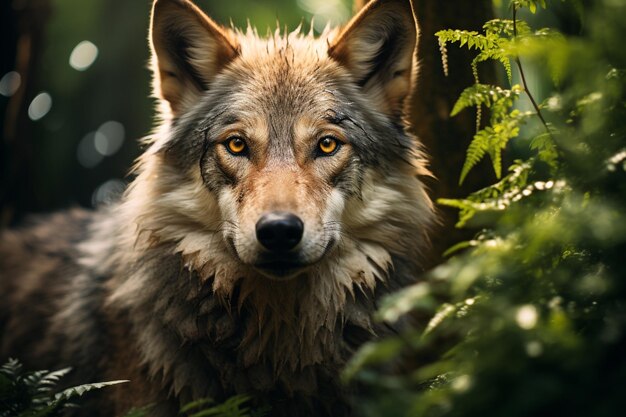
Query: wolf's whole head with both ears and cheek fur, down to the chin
(290, 149)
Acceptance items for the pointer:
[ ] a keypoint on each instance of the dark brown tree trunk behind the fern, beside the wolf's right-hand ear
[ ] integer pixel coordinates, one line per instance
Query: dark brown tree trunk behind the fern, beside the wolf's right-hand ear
(446, 139)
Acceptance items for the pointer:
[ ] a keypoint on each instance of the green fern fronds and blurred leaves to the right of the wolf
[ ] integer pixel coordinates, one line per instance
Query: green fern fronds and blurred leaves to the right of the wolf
(528, 318)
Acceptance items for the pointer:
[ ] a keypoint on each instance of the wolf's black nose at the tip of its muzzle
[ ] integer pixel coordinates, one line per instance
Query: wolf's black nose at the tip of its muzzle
(279, 231)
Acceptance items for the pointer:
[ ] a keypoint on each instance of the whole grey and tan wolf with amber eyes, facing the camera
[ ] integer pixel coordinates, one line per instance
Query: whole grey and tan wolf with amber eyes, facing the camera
(279, 197)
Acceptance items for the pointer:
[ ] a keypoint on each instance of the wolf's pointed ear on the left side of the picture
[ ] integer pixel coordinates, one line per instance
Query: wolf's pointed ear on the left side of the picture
(188, 50)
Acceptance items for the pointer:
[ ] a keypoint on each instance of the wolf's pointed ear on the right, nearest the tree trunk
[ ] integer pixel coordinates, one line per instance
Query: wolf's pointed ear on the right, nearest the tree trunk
(378, 48)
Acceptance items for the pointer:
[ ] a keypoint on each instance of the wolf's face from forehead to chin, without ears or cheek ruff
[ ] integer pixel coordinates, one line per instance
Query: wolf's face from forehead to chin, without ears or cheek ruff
(277, 160)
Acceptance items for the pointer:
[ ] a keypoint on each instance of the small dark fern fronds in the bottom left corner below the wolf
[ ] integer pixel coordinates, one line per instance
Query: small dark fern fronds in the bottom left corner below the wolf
(31, 394)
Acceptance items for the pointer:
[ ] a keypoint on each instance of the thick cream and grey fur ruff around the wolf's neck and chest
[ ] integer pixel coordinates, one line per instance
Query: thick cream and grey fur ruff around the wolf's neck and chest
(171, 261)
